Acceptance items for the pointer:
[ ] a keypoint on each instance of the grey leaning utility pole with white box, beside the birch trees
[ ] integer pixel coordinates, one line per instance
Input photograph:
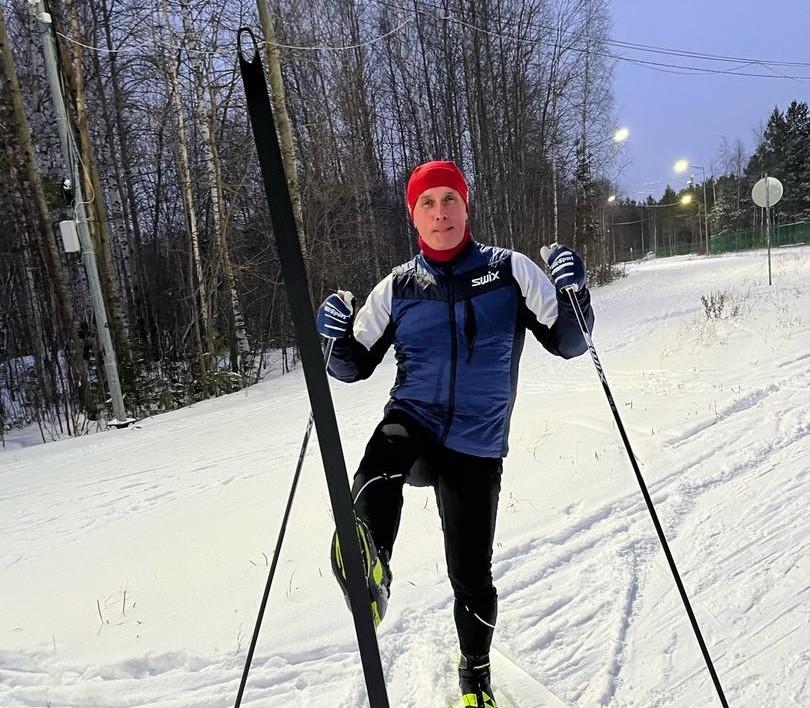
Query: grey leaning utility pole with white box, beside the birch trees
(72, 163)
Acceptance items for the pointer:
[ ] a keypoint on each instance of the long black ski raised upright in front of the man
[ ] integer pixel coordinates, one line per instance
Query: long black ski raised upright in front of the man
(323, 412)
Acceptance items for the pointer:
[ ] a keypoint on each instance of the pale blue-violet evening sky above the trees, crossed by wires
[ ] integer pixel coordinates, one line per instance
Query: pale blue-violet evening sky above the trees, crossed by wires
(674, 116)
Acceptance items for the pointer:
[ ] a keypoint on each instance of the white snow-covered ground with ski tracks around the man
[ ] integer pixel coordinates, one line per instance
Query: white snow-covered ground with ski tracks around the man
(132, 562)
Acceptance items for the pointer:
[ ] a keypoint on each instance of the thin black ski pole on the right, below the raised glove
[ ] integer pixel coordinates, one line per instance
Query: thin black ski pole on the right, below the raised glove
(583, 326)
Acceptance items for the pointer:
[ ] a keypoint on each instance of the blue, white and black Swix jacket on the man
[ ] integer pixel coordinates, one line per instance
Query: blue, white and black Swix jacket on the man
(458, 331)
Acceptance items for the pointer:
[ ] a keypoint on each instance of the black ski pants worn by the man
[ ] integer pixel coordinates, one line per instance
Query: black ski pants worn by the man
(467, 490)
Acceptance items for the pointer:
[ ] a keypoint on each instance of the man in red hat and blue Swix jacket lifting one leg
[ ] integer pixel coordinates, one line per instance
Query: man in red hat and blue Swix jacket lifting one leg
(457, 315)
